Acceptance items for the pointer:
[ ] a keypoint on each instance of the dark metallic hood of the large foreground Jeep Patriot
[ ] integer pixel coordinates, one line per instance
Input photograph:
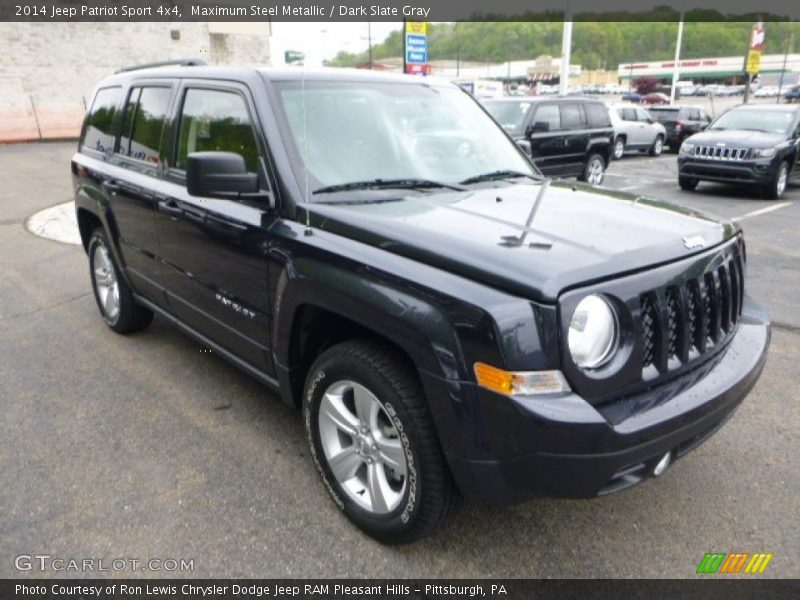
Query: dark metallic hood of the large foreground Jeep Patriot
(579, 235)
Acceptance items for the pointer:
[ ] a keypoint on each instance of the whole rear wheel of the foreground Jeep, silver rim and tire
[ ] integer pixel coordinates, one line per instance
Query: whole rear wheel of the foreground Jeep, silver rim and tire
(114, 298)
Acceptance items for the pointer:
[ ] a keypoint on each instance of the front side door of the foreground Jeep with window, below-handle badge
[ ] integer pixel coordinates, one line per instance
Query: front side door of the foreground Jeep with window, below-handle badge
(215, 250)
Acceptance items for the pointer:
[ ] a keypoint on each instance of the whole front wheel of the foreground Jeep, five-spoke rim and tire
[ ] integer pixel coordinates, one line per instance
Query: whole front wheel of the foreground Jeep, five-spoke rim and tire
(372, 440)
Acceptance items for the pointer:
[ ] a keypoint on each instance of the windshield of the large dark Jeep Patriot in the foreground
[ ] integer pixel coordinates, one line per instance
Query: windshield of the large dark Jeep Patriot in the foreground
(362, 131)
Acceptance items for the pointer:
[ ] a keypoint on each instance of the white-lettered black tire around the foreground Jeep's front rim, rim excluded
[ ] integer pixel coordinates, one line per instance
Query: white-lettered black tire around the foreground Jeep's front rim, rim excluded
(429, 492)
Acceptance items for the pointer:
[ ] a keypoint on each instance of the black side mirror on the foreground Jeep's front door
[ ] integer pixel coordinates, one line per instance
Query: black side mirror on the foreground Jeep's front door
(219, 174)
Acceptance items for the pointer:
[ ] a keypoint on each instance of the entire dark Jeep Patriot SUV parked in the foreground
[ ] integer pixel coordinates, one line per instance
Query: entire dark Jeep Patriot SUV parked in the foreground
(379, 252)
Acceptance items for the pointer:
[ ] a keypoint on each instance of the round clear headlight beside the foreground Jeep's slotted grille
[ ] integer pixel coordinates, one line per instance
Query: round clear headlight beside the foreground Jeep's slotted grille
(593, 332)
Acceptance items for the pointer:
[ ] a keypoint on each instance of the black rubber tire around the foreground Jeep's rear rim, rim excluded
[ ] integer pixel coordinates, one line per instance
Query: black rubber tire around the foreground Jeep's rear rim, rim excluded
(130, 316)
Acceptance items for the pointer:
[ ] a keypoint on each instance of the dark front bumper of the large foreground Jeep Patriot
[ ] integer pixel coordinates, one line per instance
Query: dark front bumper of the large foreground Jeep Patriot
(565, 447)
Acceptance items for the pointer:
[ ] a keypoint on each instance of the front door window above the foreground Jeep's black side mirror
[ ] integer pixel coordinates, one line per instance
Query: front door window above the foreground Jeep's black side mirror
(214, 120)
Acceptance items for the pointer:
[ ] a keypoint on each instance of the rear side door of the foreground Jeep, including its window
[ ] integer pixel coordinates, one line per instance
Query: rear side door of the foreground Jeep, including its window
(138, 169)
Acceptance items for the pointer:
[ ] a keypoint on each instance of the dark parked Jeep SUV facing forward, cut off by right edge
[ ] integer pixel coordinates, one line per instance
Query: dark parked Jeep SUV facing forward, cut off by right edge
(751, 144)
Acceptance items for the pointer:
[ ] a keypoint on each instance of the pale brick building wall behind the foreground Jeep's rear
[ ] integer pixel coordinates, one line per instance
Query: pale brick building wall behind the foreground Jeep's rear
(48, 70)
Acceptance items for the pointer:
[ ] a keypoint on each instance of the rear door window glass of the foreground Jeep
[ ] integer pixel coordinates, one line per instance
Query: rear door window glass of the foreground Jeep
(143, 124)
